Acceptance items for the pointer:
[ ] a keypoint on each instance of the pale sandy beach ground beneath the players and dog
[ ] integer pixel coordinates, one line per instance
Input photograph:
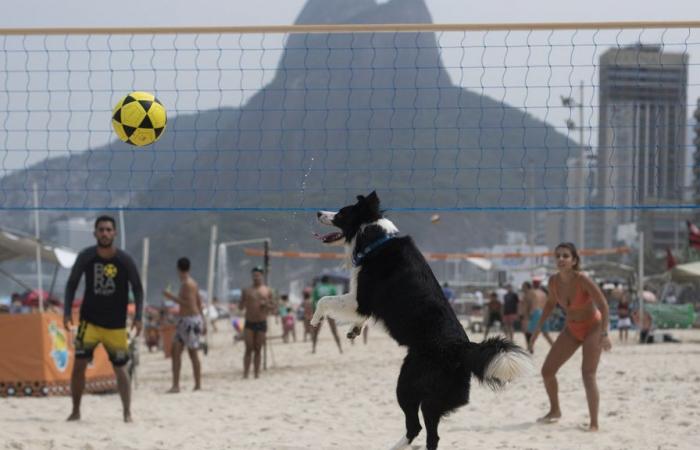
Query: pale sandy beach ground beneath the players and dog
(650, 399)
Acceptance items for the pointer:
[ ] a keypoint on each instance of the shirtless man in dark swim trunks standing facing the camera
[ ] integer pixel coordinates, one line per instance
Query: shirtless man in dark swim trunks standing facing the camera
(257, 303)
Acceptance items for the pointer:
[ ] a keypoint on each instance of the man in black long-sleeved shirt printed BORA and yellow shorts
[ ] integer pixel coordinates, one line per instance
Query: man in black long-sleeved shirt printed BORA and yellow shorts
(108, 274)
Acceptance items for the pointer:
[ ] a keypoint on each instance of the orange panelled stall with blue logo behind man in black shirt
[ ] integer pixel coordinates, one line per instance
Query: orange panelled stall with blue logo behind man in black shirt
(37, 357)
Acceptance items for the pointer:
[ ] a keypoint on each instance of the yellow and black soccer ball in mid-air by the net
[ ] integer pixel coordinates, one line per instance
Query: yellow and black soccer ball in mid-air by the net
(139, 119)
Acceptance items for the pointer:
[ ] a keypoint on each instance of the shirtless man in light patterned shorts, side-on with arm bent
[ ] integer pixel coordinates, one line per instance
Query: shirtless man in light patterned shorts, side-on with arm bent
(190, 325)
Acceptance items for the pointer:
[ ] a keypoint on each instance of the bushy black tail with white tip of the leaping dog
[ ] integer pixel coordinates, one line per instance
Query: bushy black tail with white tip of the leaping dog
(497, 361)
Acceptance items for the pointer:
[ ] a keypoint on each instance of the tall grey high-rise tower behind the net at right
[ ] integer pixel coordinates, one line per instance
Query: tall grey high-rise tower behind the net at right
(641, 142)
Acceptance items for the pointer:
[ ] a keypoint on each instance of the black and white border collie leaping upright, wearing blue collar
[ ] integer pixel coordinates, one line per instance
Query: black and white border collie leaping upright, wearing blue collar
(392, 282)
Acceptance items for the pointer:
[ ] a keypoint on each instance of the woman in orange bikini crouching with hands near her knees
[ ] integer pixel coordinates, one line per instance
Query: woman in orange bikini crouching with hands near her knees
(586, 327)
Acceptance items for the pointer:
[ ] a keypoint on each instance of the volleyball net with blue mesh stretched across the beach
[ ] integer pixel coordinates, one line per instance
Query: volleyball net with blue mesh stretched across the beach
(434, 117)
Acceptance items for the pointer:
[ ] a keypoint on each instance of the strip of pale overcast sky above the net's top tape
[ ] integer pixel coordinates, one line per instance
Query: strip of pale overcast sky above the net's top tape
(58, 13)
